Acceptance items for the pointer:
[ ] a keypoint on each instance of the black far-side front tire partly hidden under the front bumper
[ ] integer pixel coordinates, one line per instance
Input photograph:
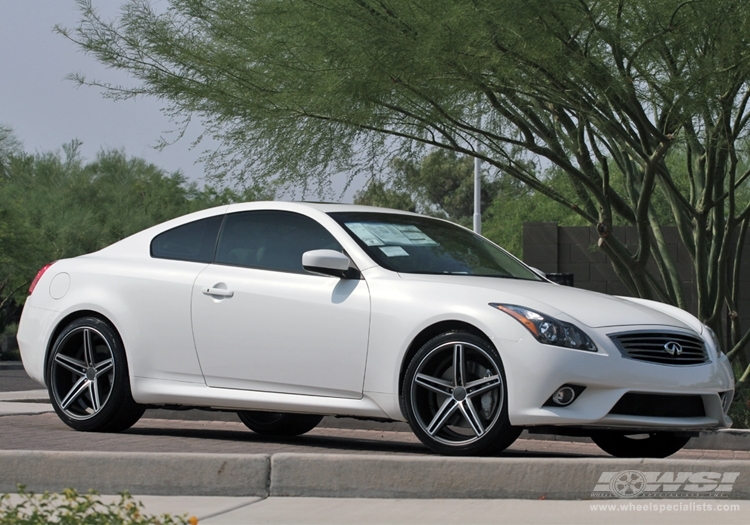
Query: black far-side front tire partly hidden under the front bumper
(650, 445)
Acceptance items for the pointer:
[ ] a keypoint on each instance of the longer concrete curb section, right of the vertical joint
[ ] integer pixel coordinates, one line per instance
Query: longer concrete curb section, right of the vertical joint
(429, 477)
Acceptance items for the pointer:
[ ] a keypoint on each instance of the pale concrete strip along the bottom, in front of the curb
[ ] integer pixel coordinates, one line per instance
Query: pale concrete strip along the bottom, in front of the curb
(338, 511)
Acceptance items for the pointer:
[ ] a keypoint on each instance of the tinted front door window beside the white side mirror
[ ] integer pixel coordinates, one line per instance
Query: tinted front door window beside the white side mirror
(271, 240)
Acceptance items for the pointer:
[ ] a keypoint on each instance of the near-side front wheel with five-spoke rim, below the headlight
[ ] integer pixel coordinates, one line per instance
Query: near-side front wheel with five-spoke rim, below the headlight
(458, 410)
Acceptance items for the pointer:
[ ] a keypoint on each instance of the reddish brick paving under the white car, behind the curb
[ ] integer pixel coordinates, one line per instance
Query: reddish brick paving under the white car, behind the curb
(47, 432)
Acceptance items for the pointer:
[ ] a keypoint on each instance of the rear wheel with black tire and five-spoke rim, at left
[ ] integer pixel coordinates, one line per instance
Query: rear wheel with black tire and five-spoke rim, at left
(87, 378)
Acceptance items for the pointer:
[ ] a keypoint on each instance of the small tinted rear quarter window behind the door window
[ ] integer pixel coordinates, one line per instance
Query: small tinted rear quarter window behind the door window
(195, 241)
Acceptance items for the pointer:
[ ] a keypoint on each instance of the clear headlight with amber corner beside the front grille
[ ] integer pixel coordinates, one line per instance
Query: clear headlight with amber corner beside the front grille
(548, 330)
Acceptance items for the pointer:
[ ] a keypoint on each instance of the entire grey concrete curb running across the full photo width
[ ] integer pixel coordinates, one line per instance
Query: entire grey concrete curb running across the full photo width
(360, 476)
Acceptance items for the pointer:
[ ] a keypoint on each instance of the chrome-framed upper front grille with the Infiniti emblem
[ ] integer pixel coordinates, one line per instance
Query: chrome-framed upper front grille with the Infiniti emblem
(667, 348)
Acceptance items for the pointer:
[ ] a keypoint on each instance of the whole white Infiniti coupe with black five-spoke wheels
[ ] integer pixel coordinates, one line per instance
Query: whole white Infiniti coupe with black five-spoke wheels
(285, 312)
